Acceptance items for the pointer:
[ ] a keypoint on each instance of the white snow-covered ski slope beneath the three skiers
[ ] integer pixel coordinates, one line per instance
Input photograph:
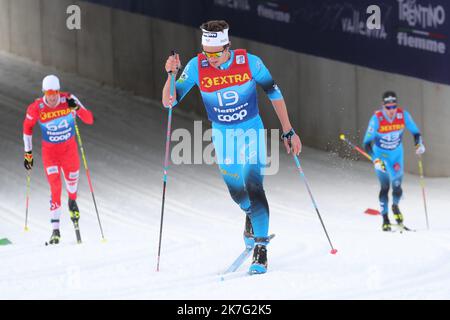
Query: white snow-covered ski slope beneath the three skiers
(202, 227)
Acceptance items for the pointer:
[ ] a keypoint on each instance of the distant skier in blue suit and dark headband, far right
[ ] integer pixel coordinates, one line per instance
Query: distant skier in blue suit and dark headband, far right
(383, 141)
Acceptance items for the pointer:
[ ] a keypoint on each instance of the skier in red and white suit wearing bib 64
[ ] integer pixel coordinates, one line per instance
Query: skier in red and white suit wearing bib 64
(55, 112)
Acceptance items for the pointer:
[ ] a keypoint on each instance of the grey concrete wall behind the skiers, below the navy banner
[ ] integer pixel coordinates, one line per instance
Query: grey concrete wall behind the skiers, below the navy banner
(126, 50)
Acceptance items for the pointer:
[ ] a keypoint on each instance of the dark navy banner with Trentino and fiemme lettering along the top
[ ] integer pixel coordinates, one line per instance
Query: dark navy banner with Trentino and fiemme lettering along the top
(412, 39)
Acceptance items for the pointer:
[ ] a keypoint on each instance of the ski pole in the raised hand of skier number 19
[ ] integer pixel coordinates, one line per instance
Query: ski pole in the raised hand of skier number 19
(166, 160)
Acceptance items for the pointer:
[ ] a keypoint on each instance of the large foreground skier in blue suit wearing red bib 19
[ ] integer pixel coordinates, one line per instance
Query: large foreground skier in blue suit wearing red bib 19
(227, 81)
